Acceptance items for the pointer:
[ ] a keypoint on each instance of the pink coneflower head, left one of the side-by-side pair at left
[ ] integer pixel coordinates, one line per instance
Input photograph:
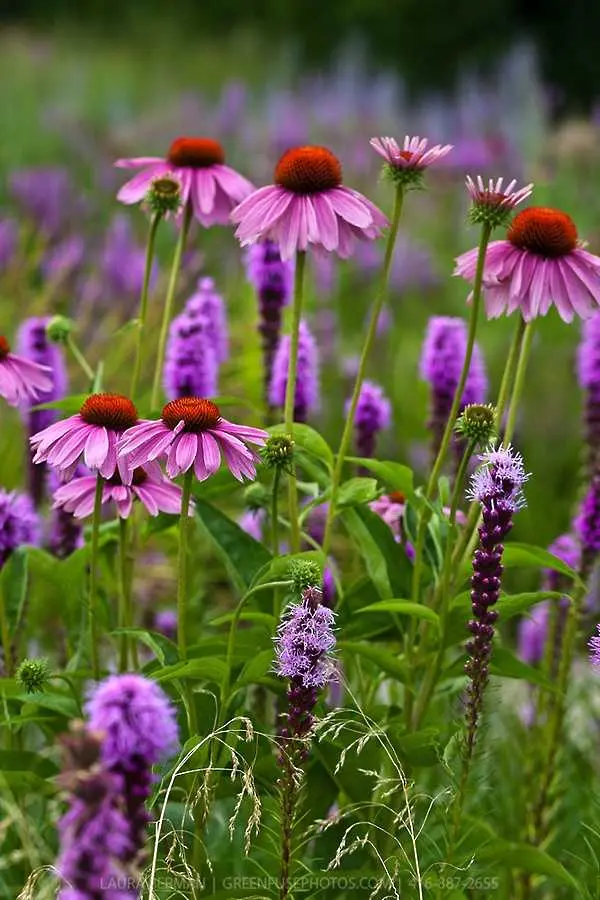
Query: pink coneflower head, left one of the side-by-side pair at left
(92, 434)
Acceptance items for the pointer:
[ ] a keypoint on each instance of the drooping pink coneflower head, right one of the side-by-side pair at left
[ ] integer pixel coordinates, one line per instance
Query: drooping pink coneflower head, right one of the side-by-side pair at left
(192, 432)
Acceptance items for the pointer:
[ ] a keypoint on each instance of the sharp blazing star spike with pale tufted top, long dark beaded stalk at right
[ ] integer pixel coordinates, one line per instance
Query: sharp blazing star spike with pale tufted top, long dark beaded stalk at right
(497, 486)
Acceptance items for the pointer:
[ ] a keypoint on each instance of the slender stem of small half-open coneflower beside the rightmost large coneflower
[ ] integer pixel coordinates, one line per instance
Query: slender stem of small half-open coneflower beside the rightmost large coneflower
(447, 436)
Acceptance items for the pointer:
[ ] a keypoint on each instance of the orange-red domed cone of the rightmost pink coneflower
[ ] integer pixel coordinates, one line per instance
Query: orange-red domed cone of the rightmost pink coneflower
(546, 232)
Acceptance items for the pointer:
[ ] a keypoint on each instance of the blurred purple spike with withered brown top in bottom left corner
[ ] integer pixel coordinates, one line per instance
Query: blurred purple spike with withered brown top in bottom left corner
(94, 832)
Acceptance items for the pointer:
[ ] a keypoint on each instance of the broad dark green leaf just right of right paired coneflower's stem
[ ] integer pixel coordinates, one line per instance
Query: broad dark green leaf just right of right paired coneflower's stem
(242, 555)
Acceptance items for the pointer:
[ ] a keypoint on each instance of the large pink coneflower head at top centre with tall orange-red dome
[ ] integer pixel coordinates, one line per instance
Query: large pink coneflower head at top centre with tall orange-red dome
(308, 205)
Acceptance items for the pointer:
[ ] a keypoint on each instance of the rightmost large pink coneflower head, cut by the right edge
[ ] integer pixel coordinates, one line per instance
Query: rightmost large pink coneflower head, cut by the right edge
(541, 263)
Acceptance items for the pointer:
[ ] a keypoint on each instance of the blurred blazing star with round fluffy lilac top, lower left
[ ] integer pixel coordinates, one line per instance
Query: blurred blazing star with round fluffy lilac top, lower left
(140, 729)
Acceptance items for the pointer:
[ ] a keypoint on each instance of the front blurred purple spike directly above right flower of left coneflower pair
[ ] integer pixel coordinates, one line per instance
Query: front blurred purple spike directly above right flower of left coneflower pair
(191, 365)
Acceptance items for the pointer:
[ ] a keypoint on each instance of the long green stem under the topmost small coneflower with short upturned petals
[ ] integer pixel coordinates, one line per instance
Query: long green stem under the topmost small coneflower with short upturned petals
(362, 367)
